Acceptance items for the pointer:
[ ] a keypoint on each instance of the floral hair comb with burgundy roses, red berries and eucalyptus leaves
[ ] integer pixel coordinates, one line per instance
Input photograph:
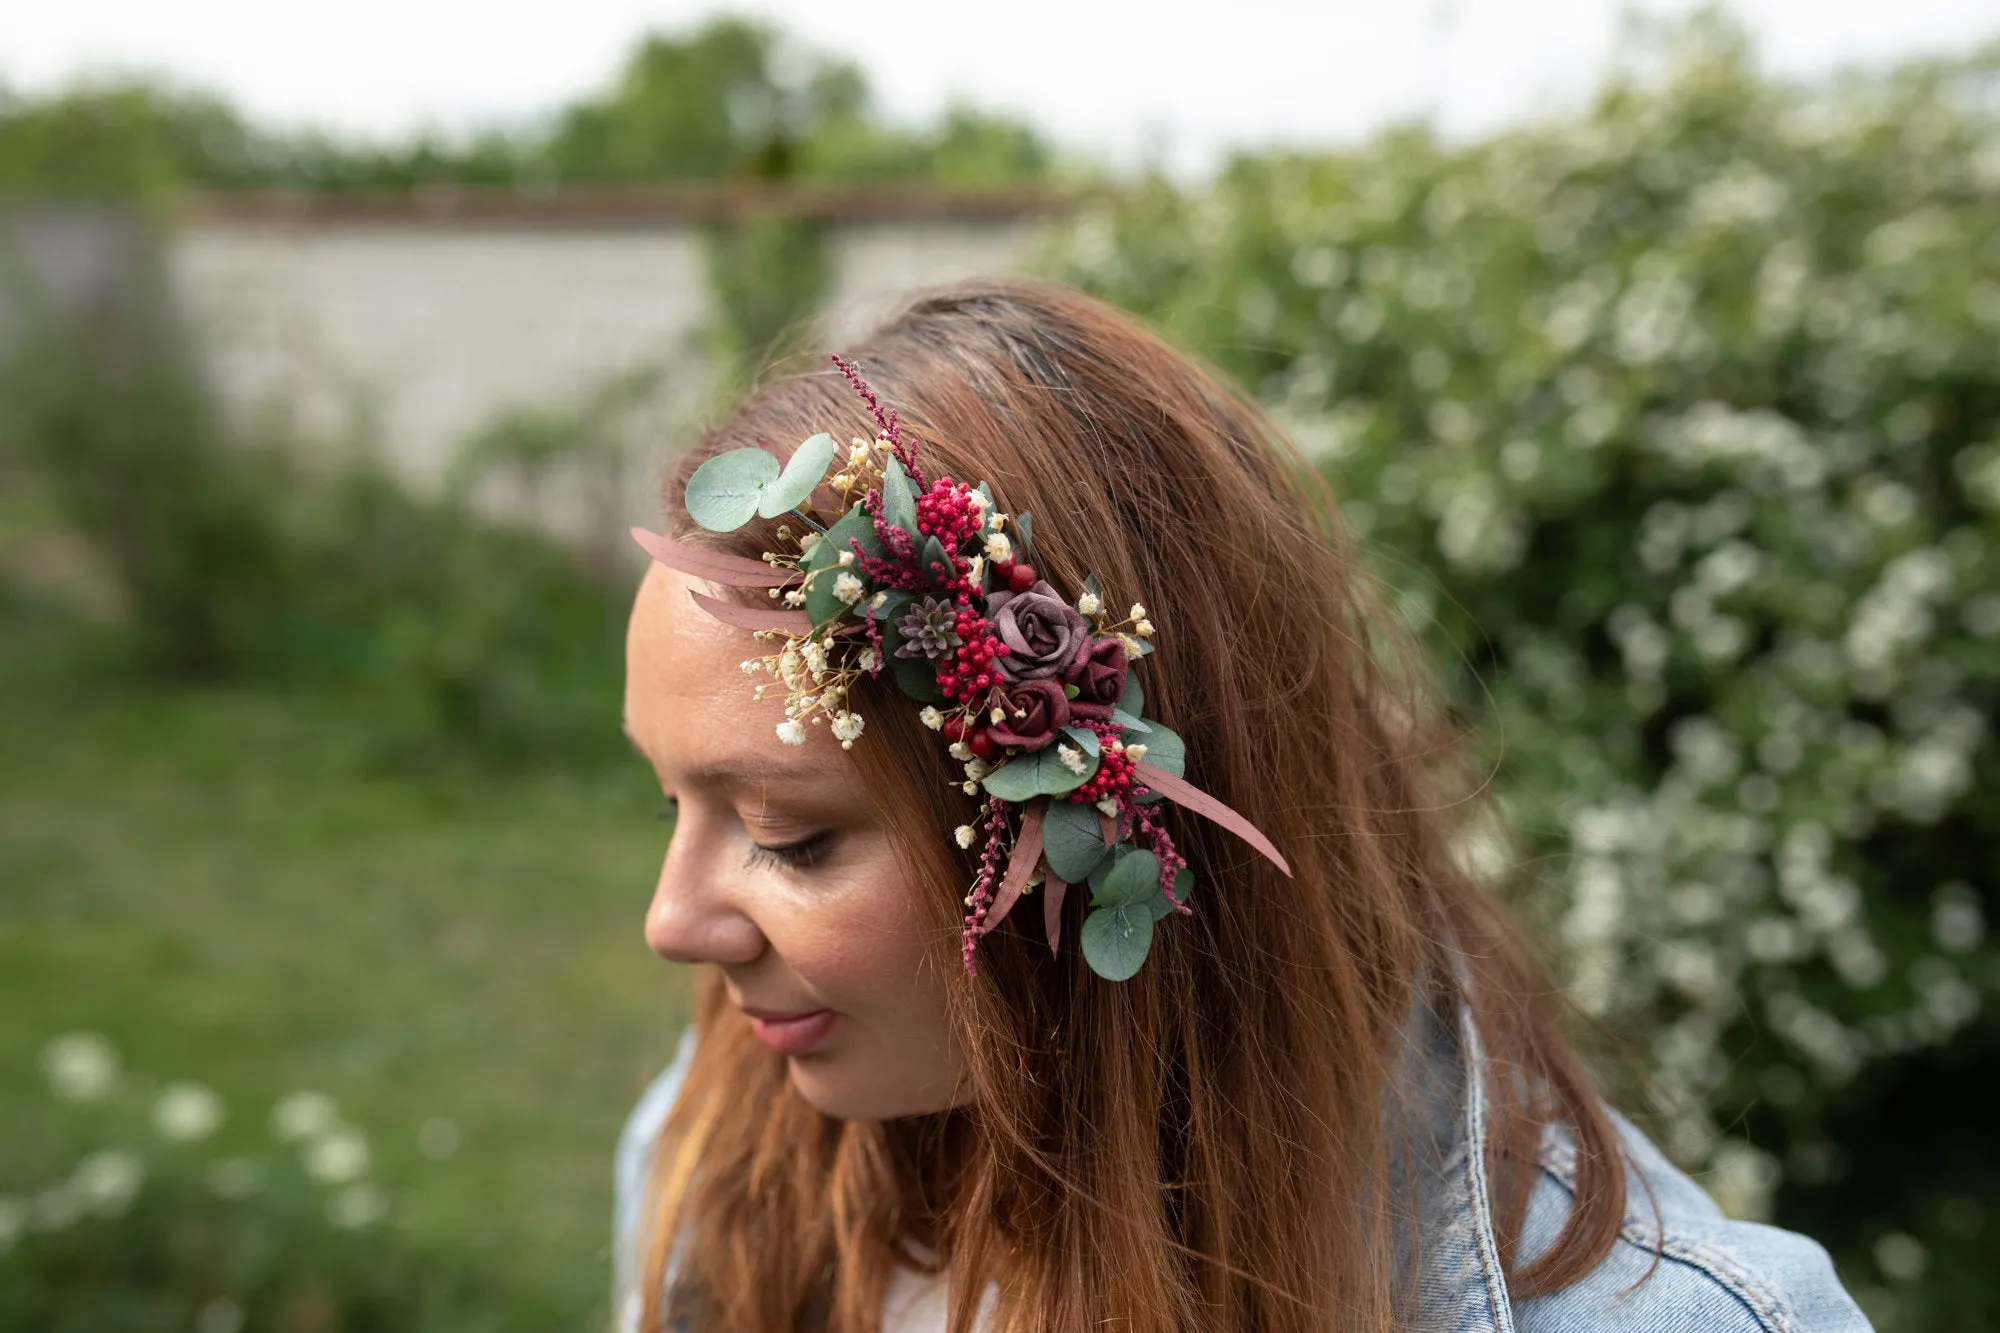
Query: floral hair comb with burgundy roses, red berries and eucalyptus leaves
(929, 581)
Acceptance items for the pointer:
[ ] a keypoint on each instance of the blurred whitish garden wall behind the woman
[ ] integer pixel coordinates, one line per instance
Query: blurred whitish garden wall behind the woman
(415, 335)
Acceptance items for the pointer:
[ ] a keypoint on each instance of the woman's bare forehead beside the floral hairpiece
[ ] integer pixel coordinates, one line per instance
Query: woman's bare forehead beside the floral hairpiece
(691, 708)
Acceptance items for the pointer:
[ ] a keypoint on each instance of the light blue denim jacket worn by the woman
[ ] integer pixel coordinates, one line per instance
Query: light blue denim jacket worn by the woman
(1679, 1264)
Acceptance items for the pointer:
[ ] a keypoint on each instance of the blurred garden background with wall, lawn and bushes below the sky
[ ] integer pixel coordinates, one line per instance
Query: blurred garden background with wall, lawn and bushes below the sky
(1673, 417)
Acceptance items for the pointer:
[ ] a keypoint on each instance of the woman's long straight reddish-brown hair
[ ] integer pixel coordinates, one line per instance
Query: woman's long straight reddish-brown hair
(1205, 1146)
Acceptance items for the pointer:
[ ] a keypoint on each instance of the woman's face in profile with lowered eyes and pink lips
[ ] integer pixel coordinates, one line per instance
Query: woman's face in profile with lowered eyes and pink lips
(781, 872)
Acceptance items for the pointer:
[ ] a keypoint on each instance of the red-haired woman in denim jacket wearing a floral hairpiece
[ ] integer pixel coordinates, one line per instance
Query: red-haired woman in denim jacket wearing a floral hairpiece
(1313, 1080)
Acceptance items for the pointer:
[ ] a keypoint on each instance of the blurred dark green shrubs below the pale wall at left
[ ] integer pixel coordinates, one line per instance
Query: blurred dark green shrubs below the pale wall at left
(247, 555)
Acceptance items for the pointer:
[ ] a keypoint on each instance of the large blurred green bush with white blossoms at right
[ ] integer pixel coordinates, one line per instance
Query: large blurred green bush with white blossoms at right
(1677, 425)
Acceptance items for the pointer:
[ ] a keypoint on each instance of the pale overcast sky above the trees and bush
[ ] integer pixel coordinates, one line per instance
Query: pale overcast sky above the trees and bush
(1123, 79)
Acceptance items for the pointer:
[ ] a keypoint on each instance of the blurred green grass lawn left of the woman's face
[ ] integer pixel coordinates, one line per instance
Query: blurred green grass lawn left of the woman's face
(233, 892)
